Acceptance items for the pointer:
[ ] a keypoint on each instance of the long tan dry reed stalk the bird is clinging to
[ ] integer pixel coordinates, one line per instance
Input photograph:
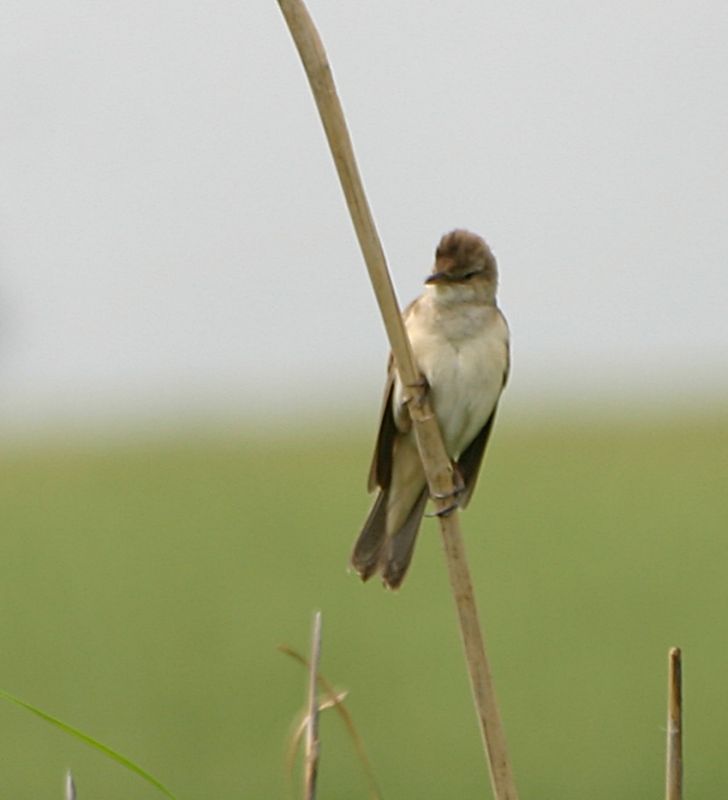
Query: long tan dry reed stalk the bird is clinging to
(429, 440)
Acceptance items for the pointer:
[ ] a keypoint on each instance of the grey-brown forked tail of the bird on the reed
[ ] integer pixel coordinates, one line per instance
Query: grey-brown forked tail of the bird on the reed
(375, 550)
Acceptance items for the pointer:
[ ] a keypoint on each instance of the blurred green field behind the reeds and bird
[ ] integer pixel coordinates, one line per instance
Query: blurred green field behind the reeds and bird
(144, 588)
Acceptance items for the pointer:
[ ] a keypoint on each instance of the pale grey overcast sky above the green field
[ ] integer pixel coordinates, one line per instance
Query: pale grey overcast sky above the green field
(173, 235)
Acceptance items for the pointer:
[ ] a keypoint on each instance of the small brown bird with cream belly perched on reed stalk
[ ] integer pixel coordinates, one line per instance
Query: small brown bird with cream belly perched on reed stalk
(460, 343)
